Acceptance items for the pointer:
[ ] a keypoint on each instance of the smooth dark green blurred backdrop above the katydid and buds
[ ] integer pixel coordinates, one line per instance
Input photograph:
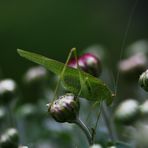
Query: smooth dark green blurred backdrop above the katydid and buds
(52, 27)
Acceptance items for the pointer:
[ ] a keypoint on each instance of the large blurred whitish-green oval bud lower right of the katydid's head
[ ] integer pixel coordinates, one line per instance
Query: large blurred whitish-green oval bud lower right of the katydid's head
(127, 112)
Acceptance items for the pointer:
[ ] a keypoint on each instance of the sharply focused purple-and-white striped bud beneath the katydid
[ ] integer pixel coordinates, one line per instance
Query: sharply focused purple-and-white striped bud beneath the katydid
(65, 108)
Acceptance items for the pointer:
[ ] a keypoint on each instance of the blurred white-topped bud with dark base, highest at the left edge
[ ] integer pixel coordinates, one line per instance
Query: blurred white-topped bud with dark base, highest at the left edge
(8, 90)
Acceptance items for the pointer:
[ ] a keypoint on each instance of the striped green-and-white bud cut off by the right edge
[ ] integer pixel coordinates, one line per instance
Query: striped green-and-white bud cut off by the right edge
(143, 80)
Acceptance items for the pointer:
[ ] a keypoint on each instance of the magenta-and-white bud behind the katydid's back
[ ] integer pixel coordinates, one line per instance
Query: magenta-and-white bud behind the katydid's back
(88, 63)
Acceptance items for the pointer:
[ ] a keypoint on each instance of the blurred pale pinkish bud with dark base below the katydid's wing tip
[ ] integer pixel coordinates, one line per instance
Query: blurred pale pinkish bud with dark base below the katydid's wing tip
(35, 81)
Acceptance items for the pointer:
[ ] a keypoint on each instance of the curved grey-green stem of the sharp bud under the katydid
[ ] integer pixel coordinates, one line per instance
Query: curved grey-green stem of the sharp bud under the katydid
(85, 129)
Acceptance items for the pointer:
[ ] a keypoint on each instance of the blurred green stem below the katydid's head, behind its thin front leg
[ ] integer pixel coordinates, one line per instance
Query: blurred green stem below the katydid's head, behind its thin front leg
(109, 125)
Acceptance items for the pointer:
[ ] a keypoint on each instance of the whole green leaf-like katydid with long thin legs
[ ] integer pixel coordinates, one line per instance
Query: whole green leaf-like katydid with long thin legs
(76, 81)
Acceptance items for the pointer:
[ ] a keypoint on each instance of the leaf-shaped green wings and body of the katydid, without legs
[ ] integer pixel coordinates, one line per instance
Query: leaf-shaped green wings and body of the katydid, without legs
(94, 89)
